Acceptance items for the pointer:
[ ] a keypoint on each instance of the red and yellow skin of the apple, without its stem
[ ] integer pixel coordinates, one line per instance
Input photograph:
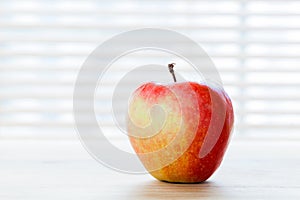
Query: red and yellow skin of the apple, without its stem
(214, 120)
